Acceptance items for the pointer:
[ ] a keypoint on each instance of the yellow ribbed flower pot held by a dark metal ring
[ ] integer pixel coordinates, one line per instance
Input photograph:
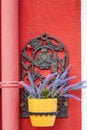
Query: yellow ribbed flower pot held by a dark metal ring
(42, 111)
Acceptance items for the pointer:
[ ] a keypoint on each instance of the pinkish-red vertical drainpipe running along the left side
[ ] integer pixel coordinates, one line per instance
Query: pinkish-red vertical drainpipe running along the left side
(9, 47)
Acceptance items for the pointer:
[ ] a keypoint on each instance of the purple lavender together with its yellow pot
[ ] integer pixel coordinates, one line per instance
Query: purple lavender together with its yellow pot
(43, 98)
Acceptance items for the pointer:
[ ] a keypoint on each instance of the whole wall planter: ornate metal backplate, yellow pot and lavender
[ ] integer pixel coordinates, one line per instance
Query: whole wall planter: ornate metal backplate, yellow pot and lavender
(41, 55)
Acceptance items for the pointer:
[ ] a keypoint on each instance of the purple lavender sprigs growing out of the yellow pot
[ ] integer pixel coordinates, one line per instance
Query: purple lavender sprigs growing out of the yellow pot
(54, 85)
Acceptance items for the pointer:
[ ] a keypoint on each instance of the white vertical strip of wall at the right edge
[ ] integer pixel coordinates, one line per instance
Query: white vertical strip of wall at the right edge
(84, 60)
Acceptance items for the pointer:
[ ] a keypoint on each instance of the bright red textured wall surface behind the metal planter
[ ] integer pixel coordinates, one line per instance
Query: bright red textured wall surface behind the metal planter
(59, 18)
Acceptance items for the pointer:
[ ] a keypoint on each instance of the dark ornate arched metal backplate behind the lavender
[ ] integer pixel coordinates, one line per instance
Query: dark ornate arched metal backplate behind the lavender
(42, 55)
